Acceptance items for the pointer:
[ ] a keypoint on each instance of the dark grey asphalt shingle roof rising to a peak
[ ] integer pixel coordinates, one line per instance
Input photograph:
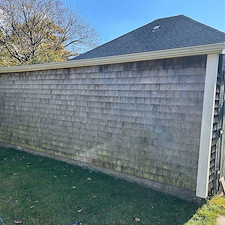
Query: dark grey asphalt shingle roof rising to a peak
(175, 32)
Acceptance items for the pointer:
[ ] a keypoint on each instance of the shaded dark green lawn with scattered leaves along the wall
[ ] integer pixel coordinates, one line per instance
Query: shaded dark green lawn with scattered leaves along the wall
(42, 191)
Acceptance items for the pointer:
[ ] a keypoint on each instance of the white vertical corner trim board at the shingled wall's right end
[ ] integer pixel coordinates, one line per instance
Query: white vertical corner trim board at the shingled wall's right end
(207, 125)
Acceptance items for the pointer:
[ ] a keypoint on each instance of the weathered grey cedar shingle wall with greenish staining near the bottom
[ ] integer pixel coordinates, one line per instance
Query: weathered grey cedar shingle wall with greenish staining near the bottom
(140, 118)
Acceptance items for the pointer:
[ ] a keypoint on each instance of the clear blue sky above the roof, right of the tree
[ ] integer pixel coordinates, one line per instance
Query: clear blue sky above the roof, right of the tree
(113, 18)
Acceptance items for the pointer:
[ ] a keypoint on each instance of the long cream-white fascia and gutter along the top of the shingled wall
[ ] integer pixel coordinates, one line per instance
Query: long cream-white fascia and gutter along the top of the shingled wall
(168, 53)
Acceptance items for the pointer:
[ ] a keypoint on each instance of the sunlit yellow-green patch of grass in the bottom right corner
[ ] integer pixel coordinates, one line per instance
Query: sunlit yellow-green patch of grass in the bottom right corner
(209, 212)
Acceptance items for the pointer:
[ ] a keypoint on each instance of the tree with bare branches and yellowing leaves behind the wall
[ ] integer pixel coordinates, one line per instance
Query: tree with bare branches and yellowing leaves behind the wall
(40, 31)
